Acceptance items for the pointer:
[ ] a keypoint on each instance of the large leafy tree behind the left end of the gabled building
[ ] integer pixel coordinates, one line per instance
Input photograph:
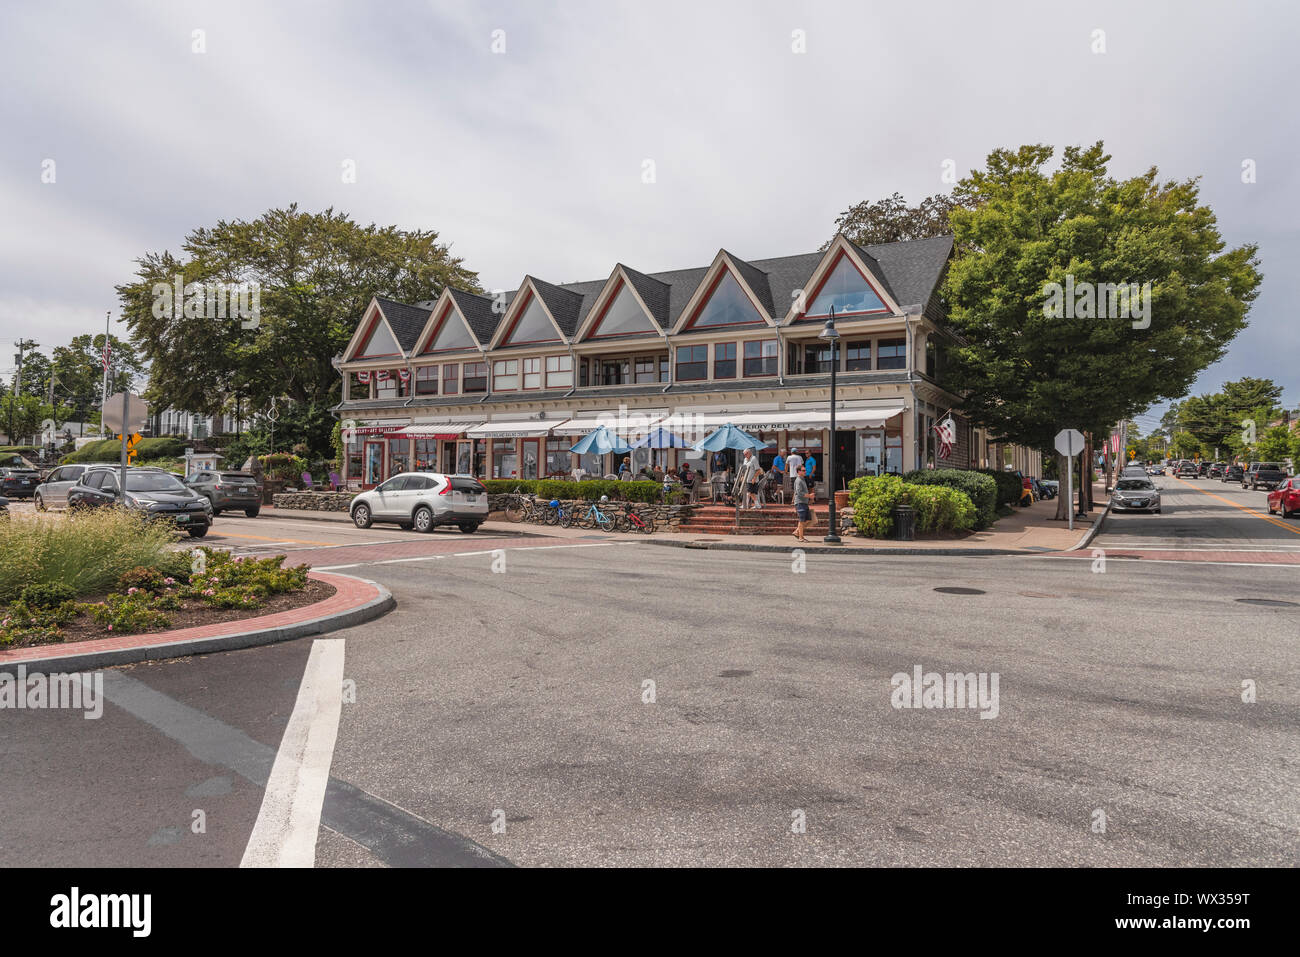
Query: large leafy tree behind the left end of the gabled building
(317, 272)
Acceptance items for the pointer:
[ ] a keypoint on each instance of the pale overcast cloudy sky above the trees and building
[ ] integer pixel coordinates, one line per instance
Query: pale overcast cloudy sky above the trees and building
(532, 159)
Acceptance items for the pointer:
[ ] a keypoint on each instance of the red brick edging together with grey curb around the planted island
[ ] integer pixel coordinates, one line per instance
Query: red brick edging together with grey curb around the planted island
(356, 601)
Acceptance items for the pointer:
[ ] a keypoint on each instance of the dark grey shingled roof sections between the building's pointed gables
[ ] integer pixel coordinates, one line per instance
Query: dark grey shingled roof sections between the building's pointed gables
(911, 272)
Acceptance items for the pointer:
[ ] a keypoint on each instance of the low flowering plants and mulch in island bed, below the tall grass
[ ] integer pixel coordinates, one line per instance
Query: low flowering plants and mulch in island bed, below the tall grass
(219, 588)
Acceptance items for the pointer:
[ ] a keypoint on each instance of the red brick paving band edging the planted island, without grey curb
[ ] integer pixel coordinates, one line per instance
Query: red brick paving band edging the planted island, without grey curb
(350, 594)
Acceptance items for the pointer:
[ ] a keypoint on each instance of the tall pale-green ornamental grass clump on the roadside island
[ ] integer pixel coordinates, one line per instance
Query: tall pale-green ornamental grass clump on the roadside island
(88, 552)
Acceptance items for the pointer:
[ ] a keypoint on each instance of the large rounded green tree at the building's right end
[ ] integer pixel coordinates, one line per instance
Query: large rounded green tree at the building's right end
(1019, 226)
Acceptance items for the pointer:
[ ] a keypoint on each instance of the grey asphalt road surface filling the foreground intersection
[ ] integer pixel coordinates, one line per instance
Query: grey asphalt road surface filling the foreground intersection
(521, 698)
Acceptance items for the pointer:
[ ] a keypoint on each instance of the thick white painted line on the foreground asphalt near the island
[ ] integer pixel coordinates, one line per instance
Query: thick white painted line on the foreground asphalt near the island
(291, 817)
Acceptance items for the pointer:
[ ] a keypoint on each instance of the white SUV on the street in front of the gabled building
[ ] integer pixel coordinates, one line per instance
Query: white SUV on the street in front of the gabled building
(424, 501)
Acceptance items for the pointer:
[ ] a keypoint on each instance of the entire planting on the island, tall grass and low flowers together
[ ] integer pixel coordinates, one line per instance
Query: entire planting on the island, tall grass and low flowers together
(111, 574)
